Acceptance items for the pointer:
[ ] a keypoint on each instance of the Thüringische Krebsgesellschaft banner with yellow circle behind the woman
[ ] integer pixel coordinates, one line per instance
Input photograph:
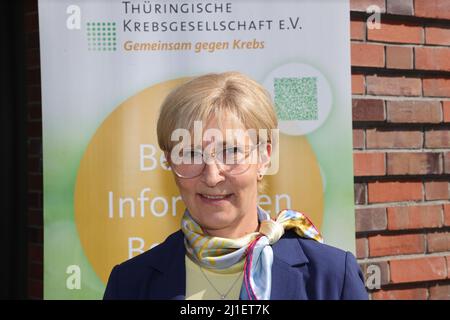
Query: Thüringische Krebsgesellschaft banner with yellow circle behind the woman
(106, 68)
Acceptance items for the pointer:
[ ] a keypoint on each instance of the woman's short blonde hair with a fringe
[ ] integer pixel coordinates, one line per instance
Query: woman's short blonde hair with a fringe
(214, 95)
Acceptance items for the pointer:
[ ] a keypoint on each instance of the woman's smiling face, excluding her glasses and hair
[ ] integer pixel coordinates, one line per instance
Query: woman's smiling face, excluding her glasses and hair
(223, 205)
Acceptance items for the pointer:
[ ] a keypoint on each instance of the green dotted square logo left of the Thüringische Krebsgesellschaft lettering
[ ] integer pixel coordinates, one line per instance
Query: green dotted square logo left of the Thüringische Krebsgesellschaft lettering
(101, 36)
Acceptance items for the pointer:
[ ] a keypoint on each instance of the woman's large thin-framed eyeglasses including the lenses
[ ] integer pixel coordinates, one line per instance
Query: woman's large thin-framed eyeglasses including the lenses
(233, 160)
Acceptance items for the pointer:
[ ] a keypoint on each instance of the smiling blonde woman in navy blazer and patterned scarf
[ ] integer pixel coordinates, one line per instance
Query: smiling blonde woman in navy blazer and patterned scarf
(228, 247)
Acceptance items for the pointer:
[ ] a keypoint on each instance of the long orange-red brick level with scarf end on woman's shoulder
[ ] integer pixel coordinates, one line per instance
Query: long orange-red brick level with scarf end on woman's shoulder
(414, 217)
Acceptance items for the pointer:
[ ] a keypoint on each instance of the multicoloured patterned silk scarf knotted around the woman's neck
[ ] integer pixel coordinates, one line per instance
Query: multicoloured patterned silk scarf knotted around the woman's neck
(252, 252)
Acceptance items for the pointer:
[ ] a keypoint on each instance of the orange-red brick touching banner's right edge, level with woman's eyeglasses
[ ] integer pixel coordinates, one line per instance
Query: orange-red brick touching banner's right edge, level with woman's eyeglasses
(369, 164)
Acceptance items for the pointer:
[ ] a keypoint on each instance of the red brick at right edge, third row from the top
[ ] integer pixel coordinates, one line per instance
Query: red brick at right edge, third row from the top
(430, 58)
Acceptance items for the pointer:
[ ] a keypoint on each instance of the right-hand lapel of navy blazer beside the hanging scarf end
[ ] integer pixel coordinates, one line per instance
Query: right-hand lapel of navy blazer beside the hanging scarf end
(288, 270)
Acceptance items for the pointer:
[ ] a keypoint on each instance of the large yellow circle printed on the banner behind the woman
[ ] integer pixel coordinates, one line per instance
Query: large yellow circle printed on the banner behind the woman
(126, 200)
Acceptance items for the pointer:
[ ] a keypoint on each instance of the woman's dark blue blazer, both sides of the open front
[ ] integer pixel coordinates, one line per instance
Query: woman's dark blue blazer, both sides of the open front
(302, 269)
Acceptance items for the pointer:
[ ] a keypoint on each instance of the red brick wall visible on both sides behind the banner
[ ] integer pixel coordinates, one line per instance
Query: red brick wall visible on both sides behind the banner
(401, 120)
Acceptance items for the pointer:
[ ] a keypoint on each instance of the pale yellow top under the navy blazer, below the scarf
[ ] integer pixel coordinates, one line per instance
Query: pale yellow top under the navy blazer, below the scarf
(198, 287)
